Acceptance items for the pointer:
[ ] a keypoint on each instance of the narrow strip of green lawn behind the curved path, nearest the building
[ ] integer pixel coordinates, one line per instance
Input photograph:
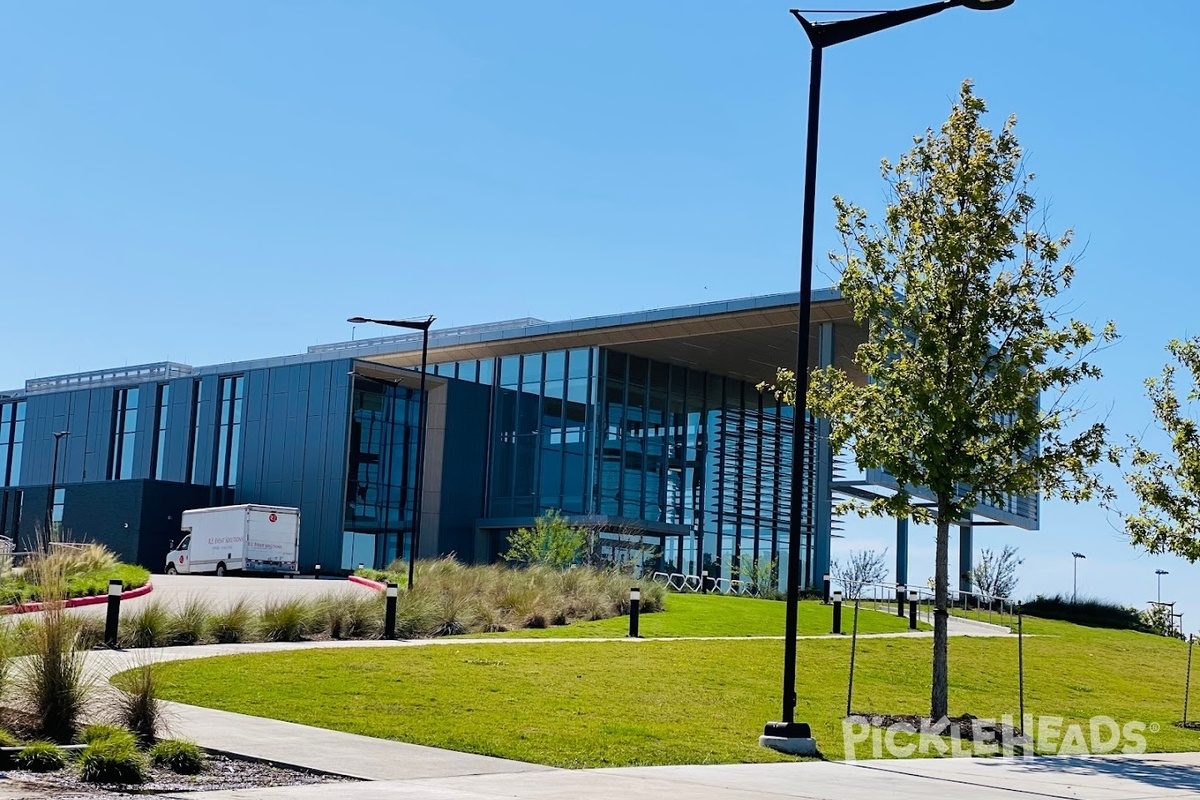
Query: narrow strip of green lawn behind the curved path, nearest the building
(691, 616)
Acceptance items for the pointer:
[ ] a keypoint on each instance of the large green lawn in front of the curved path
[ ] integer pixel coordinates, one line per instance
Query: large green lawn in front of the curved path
(628, 703)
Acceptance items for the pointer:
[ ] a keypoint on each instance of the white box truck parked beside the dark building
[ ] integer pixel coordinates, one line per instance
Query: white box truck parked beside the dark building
(238, 539)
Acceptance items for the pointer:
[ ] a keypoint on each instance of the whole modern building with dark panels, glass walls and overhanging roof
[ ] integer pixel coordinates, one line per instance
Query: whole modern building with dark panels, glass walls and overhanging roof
(647, 429)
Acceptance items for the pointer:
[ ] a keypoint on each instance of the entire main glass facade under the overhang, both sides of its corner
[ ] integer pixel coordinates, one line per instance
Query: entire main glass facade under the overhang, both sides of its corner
(693, 466)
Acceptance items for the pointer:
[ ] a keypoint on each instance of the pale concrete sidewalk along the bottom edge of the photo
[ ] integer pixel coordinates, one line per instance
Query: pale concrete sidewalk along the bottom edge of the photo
(1115, 778)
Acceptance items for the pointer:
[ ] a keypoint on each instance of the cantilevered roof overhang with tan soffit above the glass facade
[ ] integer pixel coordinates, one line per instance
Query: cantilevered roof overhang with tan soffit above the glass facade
(746, 339)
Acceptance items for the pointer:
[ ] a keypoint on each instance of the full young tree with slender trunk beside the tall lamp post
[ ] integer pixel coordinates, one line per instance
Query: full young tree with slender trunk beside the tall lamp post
(969, 357)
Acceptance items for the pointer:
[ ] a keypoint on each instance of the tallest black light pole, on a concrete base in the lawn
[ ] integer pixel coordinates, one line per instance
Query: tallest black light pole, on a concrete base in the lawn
(788, 735)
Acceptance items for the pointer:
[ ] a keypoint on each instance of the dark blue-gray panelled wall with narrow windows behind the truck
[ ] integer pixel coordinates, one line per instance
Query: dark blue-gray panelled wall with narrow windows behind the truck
(292, 452)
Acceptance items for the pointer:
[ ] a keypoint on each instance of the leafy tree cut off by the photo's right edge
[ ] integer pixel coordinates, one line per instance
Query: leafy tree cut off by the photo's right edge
(1168, 490)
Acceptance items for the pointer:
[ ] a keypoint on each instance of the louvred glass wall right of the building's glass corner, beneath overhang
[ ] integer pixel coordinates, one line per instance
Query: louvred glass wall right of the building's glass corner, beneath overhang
(707, 454)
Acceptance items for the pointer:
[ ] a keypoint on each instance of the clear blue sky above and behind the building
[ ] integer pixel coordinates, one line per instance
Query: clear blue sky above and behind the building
(227, 181)
